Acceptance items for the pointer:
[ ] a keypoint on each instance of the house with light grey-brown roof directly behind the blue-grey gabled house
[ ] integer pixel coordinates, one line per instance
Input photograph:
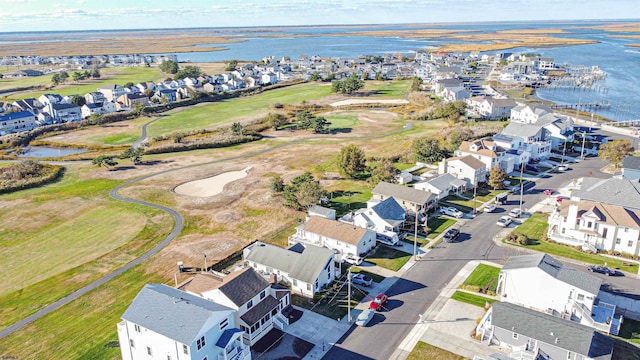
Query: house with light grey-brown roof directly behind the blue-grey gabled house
(409, 198)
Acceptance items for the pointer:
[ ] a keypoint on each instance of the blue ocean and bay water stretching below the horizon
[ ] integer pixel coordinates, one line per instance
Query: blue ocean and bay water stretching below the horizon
(621, 62)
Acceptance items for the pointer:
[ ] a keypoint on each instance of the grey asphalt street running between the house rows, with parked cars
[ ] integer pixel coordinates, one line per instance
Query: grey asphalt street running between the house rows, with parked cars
(418, 288)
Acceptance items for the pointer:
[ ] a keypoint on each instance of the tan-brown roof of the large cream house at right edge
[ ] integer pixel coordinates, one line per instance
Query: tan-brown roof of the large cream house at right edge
(606, 213)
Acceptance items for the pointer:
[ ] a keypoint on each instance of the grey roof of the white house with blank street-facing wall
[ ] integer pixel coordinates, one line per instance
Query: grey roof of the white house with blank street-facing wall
(557, 270)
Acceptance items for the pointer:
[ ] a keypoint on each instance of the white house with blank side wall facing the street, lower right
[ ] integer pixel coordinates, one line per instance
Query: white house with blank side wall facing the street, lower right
(542, 283)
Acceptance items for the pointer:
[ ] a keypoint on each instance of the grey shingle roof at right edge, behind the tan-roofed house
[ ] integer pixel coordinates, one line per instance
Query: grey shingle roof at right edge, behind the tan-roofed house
(612, 191)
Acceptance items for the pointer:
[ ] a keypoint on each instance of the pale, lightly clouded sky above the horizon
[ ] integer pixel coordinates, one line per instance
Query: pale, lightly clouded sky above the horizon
(50, 15)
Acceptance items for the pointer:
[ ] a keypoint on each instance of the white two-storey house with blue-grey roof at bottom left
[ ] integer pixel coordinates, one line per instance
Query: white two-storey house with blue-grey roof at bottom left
(166, 323)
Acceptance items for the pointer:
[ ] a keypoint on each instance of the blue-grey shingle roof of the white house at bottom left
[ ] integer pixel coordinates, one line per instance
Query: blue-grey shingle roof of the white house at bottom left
(173, 313)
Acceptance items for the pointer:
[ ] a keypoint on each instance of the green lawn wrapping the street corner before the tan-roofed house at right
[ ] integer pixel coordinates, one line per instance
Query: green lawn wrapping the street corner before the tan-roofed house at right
(536, 226)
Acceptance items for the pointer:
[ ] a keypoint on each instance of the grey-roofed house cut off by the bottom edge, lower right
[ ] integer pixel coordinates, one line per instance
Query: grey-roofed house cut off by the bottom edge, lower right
(535, 335)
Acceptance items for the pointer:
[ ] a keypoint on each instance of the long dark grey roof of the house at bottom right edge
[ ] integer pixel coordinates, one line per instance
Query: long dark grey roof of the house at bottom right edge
(555, 331)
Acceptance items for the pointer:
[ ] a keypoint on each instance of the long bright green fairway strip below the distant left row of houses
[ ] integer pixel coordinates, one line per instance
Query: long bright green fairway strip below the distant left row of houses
(227, 111)
